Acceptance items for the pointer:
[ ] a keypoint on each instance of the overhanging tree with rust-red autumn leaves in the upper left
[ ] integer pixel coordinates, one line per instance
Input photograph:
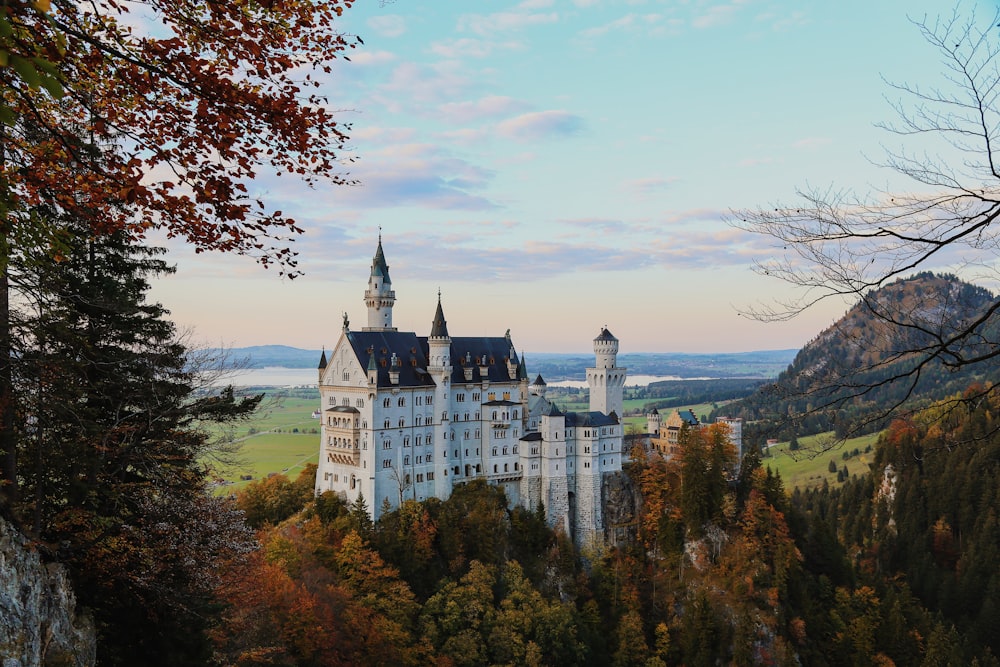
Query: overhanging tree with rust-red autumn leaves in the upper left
(124, 130)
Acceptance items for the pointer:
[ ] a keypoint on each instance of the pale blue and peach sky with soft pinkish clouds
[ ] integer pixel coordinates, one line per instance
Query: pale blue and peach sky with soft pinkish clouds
(557, 166)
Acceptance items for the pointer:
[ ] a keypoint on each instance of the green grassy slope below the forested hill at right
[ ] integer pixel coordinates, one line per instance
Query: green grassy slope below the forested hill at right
(808, 467)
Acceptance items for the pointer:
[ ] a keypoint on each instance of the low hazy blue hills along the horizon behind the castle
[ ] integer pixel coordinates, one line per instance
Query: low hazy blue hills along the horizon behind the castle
(555, 367)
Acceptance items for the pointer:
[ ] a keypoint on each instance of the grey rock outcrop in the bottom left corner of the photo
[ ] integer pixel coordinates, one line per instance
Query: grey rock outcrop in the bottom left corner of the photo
(39, 625)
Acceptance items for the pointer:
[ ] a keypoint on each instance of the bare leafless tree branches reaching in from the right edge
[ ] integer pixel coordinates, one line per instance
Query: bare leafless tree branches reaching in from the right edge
(835, 244)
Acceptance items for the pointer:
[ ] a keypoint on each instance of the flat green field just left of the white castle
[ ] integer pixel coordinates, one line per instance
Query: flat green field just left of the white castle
(281, 438)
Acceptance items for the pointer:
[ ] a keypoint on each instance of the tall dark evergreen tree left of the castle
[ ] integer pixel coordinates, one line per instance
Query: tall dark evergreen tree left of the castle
(116, 487)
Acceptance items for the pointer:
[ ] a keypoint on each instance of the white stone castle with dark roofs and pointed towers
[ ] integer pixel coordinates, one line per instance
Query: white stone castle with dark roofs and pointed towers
(407, 416)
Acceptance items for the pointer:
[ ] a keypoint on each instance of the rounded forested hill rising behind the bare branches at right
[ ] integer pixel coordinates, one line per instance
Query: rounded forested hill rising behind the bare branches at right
(838, 380)
